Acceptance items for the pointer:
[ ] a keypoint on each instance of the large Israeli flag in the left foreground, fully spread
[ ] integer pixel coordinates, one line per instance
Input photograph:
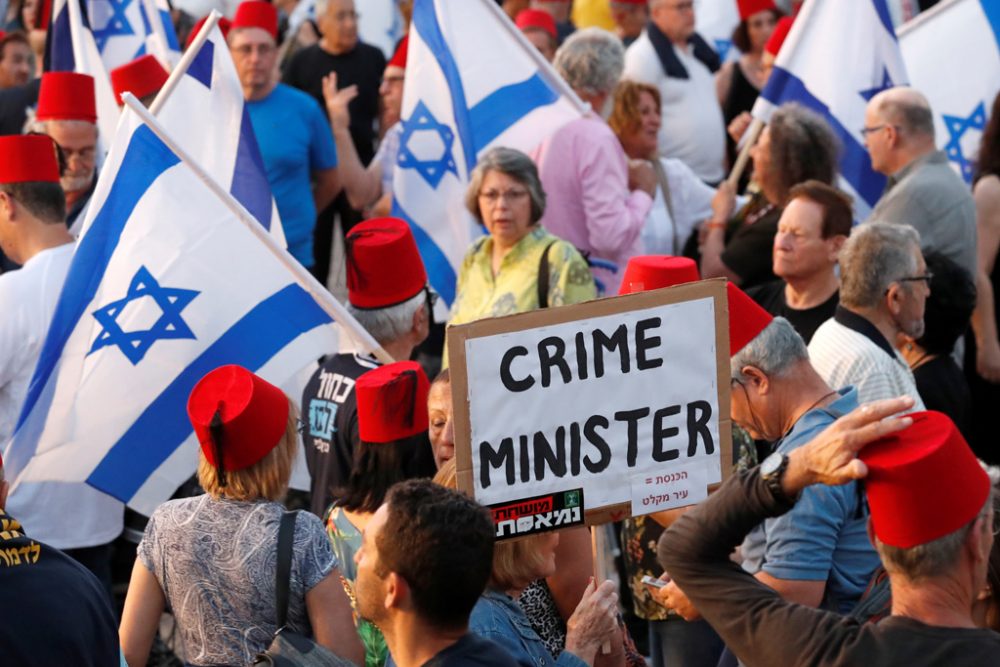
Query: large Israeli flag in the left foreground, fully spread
(165, 285)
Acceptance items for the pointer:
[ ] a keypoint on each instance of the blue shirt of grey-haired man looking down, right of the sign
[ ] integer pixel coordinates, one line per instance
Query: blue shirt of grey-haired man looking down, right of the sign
(824, 537)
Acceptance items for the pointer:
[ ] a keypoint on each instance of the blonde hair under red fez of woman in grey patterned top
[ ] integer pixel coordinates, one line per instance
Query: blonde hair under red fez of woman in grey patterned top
(268, 478)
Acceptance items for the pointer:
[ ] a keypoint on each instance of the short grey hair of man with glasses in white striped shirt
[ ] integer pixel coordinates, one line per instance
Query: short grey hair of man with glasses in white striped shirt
(875, 255)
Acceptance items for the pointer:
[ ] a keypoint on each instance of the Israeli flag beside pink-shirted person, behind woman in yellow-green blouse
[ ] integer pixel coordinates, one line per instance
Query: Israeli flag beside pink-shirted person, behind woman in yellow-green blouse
(465, 91)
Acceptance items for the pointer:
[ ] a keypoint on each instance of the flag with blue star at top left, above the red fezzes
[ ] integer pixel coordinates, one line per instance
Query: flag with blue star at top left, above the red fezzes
(127, 29)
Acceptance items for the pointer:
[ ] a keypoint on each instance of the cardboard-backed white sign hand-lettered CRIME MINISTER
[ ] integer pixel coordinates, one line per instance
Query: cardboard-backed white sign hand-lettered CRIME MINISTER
(610, 396)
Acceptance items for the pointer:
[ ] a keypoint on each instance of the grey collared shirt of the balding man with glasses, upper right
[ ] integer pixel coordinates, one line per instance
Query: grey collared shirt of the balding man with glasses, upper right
(930, 197)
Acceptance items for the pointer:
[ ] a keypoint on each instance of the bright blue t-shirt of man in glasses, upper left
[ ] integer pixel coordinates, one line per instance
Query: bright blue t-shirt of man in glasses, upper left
(295, 141)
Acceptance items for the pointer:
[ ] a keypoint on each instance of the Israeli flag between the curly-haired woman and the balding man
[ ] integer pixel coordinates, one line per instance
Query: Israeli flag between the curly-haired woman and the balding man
(838, 56)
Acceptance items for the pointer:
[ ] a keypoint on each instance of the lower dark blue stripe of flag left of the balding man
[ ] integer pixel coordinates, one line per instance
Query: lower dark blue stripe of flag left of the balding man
(855, 164)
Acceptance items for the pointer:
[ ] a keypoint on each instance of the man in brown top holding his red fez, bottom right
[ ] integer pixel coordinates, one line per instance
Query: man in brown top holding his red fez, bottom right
(931, 521)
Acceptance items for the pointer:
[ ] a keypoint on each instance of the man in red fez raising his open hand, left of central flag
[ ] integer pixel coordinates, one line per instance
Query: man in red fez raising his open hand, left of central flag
(369, 188)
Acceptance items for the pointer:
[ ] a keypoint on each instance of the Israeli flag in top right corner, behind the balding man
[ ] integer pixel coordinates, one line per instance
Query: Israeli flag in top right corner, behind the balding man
(953, 55)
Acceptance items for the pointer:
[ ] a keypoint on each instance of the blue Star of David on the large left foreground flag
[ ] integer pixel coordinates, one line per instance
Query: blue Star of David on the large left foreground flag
(169, 325)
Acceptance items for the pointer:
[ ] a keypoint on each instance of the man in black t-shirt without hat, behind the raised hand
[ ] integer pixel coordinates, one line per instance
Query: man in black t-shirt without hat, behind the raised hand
(339, 51)
